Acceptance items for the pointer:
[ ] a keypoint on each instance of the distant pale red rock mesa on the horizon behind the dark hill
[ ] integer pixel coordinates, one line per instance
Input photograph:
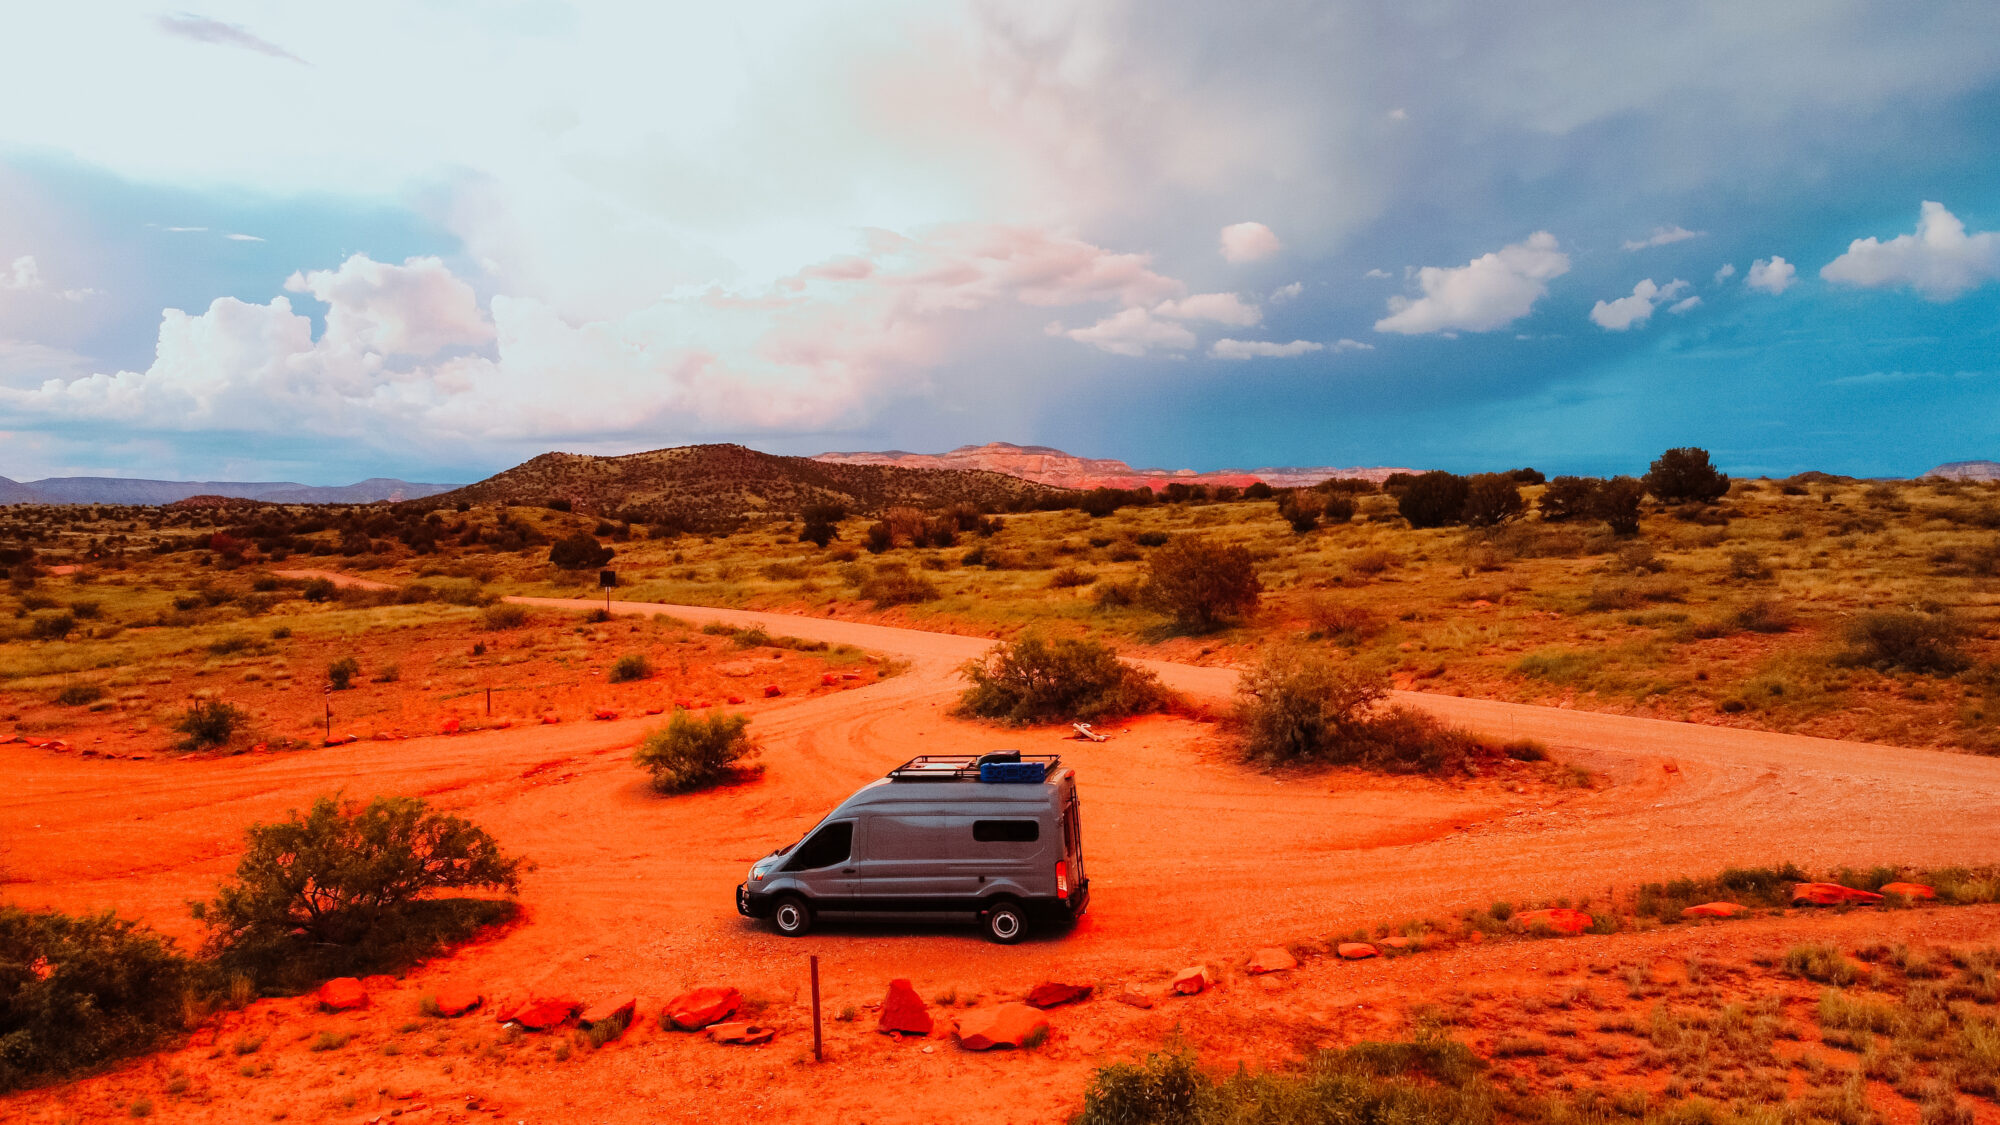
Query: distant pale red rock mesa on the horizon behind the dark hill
(1053, 467)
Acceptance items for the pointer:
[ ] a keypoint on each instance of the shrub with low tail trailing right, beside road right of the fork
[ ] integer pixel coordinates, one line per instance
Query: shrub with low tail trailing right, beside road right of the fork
(1307, 708)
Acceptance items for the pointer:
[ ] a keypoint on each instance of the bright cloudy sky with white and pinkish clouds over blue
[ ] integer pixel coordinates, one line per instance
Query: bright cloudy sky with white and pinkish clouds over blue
(435, 237)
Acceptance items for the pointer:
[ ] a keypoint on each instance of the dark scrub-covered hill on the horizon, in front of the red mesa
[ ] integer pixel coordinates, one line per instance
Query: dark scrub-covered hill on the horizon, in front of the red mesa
(717, 485)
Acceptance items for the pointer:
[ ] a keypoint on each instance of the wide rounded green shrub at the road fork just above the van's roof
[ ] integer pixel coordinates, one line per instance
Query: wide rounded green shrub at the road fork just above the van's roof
(1065, 680)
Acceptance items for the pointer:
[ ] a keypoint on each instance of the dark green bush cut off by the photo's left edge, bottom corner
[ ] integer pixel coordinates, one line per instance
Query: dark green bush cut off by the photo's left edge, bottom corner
(81, 992)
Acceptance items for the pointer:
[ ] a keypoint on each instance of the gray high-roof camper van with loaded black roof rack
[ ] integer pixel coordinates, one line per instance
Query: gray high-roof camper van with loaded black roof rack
(995, 838)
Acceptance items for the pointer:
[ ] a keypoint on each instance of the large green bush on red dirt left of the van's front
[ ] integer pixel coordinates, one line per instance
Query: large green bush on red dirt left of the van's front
(353, 888)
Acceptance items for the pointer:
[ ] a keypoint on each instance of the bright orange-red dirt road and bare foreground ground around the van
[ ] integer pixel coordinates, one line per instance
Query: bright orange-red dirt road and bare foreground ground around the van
(1193, 860)
